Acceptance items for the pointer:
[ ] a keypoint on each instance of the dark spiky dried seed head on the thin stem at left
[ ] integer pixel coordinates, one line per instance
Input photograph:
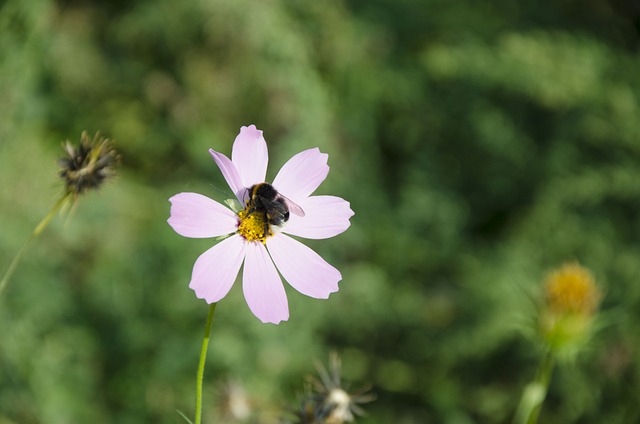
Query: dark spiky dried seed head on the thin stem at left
(88, 165)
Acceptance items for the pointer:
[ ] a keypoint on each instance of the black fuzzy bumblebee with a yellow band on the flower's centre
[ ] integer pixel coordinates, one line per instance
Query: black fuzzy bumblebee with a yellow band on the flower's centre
(275, 208)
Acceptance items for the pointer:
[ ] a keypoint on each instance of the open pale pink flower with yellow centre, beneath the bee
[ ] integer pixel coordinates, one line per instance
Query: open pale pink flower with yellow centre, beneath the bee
(197, 216)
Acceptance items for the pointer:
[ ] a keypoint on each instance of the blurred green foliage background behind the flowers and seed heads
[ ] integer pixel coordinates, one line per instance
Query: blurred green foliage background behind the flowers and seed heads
(481, 144)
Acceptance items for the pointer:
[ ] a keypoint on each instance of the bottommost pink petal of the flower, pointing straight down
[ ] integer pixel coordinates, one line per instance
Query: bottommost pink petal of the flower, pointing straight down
(262, 286)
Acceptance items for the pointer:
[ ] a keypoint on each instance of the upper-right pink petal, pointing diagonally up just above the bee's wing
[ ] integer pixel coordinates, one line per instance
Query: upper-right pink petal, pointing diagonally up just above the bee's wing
(302, 174)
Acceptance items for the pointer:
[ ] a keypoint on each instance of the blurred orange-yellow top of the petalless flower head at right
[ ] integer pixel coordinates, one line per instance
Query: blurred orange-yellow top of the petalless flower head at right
(572, 290)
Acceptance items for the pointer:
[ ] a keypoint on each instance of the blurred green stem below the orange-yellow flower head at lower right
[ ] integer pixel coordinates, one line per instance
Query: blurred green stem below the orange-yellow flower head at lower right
(535, 392)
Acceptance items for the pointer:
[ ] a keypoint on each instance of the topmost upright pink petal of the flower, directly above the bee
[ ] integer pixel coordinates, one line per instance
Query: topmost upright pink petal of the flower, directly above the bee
(250, 156)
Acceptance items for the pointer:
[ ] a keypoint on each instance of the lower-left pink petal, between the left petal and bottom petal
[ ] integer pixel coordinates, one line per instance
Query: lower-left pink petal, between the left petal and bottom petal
(216, 269)
